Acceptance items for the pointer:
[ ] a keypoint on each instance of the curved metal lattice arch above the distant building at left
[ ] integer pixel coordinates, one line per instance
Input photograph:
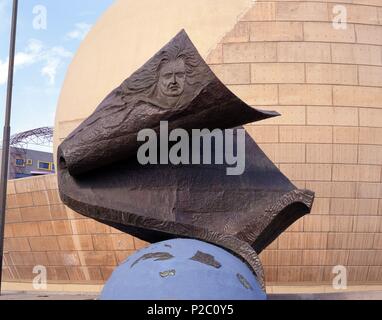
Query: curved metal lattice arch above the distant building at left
(38, 137)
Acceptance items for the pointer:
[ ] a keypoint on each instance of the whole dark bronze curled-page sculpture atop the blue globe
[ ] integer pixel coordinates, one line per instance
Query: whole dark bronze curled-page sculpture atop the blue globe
(100, 177)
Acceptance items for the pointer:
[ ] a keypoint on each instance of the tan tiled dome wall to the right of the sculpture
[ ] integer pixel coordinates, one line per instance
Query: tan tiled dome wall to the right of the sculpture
(327, 84)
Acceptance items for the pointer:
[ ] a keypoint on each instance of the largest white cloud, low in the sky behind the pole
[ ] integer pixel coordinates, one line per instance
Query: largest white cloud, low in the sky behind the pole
(50, 58)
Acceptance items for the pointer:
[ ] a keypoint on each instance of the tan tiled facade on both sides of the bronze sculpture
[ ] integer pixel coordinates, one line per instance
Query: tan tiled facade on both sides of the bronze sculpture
(327, 83)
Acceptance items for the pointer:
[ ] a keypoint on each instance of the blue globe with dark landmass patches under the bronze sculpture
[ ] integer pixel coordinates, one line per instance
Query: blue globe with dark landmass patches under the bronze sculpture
(182, 269)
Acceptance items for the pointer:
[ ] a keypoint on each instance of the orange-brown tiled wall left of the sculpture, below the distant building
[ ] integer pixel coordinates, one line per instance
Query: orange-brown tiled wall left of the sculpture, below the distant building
(40, 230)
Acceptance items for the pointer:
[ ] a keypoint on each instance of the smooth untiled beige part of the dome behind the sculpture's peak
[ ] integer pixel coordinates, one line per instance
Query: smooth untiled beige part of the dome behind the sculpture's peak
(130, 33)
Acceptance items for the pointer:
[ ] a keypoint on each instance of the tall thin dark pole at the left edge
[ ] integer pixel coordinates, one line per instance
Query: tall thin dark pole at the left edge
(6, 135)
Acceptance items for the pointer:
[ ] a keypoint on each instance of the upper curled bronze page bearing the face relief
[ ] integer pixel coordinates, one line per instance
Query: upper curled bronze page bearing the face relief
(196, 100)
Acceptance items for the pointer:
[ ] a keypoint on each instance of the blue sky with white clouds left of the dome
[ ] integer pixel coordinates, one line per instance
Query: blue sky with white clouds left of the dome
(42, 55)
